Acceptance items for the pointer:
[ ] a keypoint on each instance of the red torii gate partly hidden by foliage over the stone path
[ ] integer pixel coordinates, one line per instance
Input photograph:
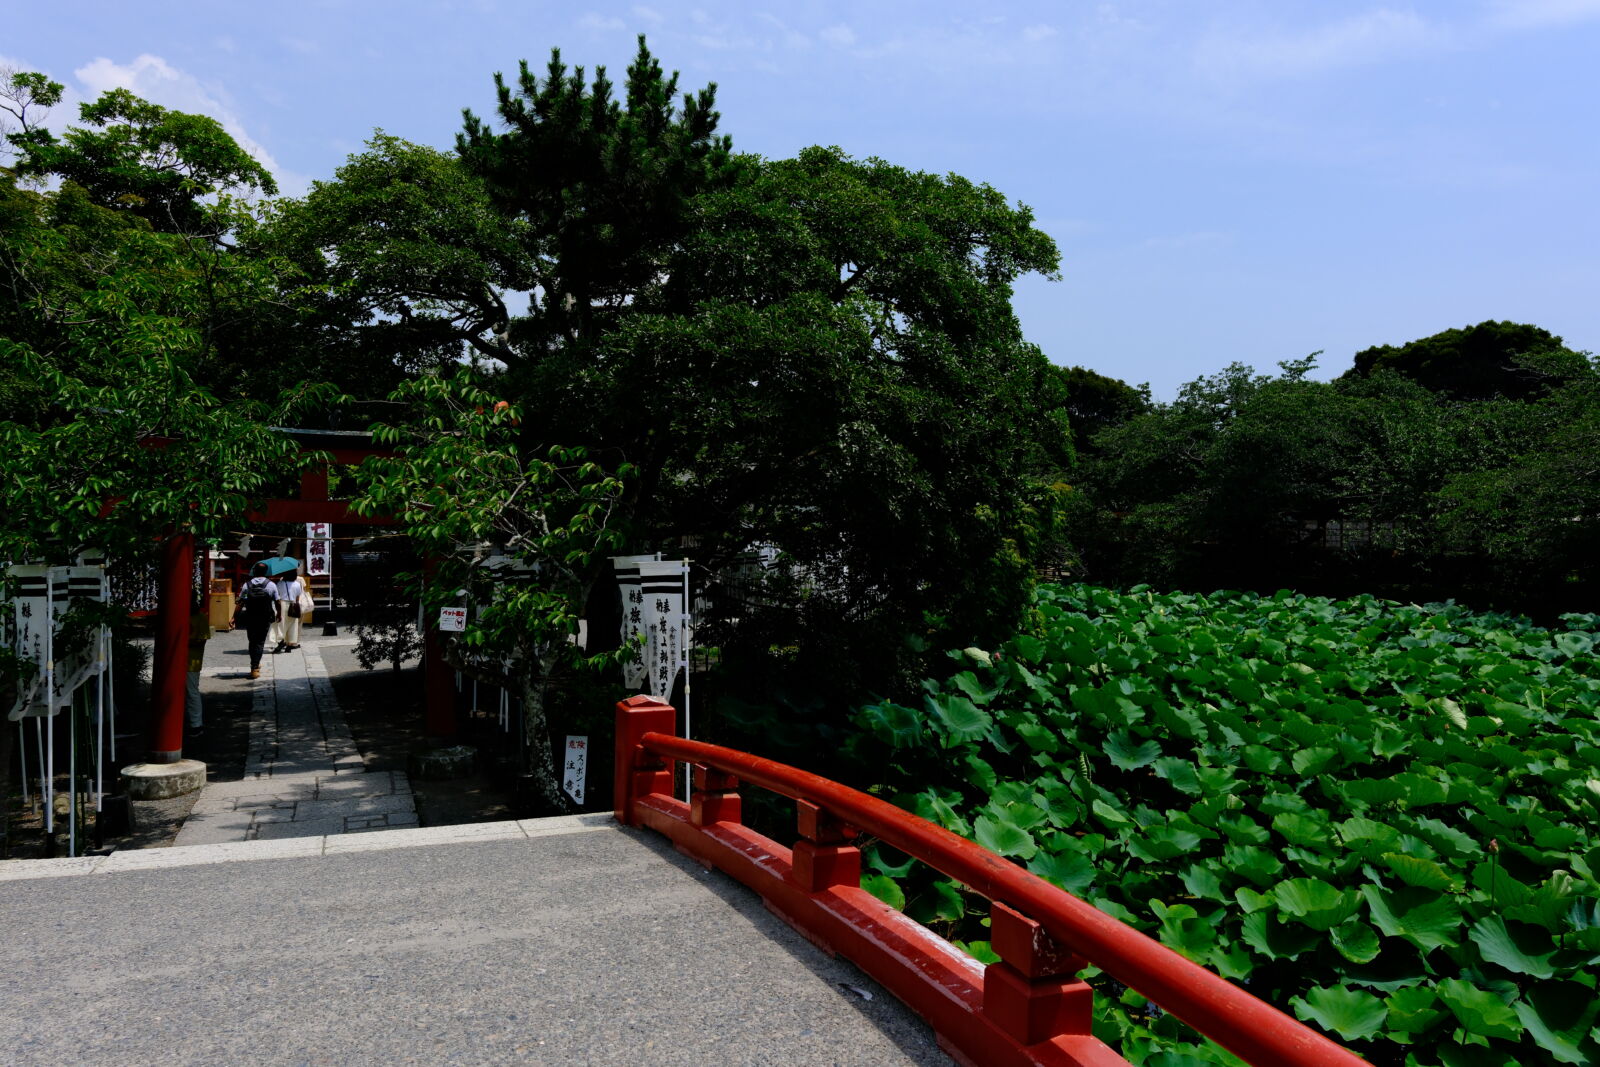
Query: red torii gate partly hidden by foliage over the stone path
(348, 449)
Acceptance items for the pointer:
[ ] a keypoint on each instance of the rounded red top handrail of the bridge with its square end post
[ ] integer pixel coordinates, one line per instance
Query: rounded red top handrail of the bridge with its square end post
(1246, 1026)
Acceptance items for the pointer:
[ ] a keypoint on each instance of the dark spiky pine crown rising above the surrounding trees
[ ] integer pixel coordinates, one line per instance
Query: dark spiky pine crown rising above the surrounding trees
(596, 190)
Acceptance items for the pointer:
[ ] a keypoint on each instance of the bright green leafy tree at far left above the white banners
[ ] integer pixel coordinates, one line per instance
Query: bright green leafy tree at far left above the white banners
(110, 345)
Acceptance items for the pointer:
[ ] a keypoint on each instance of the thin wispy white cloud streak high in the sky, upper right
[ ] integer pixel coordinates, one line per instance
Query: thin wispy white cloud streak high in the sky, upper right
(1362, 39)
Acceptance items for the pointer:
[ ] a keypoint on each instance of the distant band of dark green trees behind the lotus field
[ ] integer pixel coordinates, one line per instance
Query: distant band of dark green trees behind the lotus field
(1463, 466)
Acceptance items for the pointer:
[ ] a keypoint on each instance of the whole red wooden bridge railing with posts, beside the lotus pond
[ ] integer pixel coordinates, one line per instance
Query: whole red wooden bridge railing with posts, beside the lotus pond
(1028, 1009)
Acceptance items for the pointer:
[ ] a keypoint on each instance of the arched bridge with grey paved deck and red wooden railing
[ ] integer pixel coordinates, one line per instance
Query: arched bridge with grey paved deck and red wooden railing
(582, 940)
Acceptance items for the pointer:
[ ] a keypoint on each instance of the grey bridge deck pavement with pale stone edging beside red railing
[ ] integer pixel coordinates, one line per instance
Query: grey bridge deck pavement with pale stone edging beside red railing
(550, 941)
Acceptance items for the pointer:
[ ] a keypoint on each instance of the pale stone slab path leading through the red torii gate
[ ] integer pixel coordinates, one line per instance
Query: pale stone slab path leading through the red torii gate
(303, 777)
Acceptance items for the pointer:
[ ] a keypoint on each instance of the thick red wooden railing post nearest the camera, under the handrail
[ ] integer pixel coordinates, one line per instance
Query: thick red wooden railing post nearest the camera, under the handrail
(1034, 993)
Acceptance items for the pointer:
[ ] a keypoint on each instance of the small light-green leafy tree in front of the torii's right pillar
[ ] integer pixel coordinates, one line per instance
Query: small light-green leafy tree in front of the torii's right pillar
(516, 530)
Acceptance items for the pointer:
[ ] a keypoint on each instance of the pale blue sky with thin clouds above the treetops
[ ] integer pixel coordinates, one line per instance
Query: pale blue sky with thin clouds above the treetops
(1239, 180)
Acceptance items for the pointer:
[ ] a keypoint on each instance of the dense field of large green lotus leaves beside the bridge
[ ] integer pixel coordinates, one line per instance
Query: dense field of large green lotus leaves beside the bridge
(1380, 818)
